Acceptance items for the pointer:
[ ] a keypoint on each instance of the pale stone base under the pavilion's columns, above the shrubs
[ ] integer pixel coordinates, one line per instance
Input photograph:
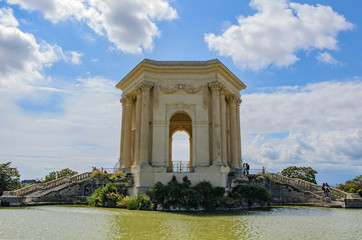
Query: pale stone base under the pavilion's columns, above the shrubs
(146, 175)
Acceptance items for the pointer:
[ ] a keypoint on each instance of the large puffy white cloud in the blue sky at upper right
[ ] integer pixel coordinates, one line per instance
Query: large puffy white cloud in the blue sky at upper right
(277, 32)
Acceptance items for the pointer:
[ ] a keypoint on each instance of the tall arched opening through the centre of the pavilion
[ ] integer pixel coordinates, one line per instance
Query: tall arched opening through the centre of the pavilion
(180, 143)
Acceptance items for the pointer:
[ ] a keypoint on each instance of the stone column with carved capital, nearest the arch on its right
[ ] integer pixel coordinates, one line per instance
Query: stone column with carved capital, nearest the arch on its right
(216, 133)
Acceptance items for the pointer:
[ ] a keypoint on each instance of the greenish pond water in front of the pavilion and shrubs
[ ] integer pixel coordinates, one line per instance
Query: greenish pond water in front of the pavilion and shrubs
(74, 222)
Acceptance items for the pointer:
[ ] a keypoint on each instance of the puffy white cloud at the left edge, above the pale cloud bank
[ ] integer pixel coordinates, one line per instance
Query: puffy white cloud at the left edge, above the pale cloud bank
(22, 58)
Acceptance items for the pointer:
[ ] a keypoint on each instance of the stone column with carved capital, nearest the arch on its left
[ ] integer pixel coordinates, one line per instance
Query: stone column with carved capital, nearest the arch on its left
(145, 122)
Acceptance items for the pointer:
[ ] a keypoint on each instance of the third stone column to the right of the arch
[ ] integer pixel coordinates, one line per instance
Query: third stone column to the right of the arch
(233, 133)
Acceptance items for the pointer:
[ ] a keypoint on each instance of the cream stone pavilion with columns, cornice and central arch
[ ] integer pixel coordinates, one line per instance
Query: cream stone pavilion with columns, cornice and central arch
(160, 98)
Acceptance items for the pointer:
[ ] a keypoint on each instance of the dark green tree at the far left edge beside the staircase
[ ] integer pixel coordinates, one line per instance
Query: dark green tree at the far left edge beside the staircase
(9, 178)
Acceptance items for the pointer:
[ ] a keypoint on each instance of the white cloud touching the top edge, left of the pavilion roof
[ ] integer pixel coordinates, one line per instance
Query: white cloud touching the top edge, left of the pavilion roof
(128, 24)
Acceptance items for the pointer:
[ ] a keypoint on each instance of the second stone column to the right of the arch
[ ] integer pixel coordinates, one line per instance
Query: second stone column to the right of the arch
(223, 128)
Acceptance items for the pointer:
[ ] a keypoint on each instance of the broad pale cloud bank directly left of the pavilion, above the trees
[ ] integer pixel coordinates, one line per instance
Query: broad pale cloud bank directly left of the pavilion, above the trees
(76, 125)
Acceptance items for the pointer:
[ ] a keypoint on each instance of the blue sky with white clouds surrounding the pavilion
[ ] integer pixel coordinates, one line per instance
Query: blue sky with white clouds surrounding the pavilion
(301, 62)
